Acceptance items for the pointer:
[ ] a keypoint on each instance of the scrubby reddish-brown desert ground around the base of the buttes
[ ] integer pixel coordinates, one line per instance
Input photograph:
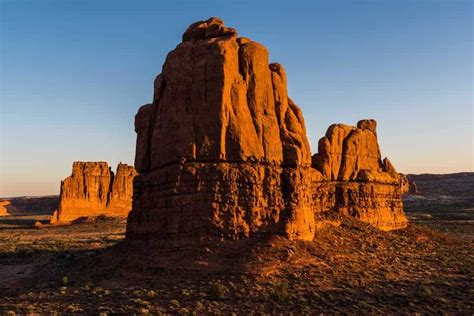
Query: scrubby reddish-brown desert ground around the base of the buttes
(87, 267)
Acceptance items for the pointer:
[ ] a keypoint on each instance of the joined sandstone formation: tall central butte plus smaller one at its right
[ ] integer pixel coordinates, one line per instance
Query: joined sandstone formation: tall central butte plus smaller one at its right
(222, 152)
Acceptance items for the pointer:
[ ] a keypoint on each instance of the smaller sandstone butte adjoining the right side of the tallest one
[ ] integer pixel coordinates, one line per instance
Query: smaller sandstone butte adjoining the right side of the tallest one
(364, 185)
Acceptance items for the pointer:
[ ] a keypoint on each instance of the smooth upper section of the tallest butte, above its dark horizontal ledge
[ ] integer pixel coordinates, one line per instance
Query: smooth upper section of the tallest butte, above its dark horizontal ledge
(217, 99)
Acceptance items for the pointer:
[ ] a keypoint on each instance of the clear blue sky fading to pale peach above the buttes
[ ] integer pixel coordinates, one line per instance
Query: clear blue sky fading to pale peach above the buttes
(73, 74)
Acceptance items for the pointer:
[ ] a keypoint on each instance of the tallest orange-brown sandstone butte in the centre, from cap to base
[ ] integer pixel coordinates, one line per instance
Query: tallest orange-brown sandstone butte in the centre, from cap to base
(217, 140)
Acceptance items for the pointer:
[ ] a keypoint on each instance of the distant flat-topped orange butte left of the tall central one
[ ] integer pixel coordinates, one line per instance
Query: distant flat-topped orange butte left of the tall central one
(93, 189)
